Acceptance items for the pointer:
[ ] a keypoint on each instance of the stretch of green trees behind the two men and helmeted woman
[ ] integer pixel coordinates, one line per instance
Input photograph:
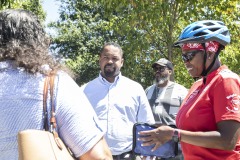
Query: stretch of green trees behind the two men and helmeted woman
(146, 30)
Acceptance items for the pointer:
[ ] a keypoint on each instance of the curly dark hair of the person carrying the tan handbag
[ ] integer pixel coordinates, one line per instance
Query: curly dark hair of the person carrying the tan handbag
(23, 39)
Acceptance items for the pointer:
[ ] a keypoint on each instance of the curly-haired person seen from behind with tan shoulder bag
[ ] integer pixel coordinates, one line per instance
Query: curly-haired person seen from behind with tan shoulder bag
(24, 64)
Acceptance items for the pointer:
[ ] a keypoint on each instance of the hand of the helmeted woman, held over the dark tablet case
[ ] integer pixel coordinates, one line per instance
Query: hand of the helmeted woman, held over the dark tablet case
(156, 137)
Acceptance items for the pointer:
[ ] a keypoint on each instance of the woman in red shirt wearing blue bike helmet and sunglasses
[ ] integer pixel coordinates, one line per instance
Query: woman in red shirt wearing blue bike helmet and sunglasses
(209, 119)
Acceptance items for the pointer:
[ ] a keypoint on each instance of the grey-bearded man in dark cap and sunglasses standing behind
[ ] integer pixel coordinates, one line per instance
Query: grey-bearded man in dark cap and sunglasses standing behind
(165, 96)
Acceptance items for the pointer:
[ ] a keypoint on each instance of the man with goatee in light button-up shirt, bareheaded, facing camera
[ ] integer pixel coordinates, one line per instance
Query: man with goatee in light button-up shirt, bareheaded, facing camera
(118, 101)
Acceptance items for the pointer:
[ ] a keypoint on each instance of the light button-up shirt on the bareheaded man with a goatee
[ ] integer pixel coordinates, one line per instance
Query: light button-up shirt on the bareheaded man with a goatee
(118, 105)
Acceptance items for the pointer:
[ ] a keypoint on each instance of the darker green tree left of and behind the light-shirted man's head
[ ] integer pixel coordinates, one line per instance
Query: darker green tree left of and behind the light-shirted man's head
(82, 30)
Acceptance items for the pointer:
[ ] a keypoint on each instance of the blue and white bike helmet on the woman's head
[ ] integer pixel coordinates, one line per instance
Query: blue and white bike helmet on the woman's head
(203, 31)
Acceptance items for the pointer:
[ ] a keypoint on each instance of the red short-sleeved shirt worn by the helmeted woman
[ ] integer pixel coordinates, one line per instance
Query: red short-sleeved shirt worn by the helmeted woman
(206, 105)
